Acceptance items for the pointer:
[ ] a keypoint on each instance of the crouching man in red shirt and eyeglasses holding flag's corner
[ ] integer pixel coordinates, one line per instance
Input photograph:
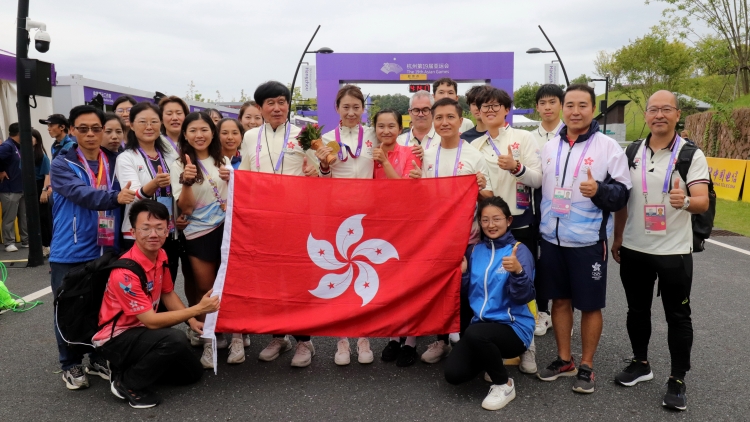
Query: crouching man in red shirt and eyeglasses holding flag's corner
(138, 342)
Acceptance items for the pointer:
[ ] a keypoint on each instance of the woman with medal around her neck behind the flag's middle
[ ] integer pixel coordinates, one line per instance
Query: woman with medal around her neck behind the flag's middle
(354, 160)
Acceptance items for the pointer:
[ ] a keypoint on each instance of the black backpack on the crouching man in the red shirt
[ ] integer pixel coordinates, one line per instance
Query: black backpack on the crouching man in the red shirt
(79, 298)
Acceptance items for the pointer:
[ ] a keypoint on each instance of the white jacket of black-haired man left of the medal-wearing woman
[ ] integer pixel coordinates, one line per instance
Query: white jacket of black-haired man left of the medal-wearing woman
(274, 139)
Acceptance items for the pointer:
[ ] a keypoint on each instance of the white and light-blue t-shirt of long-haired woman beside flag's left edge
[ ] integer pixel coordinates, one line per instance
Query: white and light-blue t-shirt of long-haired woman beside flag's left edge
(207, 213)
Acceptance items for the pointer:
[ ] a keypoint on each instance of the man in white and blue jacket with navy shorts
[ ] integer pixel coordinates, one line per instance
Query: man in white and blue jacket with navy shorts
(585, 179)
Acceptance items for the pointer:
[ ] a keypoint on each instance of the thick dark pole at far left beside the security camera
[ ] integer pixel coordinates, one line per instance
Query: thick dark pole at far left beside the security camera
(30, 194)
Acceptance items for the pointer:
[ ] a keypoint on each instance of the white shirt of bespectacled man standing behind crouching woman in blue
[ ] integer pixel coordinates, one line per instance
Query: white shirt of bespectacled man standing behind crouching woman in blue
(524, 150)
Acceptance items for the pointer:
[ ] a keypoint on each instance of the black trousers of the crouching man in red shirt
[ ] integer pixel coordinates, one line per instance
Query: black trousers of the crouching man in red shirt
(144, 357)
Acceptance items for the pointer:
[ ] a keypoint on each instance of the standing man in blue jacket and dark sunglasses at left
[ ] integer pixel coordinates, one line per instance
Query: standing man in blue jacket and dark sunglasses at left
(85, 214)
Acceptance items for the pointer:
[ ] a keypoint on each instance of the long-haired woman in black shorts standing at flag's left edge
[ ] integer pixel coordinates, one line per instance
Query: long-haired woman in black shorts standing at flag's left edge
(199, 179)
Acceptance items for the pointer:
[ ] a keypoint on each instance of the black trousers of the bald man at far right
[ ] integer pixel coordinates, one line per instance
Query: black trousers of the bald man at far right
(638, 272)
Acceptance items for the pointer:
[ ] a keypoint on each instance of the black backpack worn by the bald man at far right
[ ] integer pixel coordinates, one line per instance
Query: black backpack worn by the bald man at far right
(702, 224)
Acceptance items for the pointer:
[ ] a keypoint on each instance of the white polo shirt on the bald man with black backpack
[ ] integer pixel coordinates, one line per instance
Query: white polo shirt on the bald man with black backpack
(679, 237)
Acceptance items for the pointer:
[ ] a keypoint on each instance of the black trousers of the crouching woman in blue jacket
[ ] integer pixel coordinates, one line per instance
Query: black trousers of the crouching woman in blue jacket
(483, 347)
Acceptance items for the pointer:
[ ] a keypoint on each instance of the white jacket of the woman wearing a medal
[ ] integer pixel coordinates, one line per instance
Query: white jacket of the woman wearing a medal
(350, 167)
